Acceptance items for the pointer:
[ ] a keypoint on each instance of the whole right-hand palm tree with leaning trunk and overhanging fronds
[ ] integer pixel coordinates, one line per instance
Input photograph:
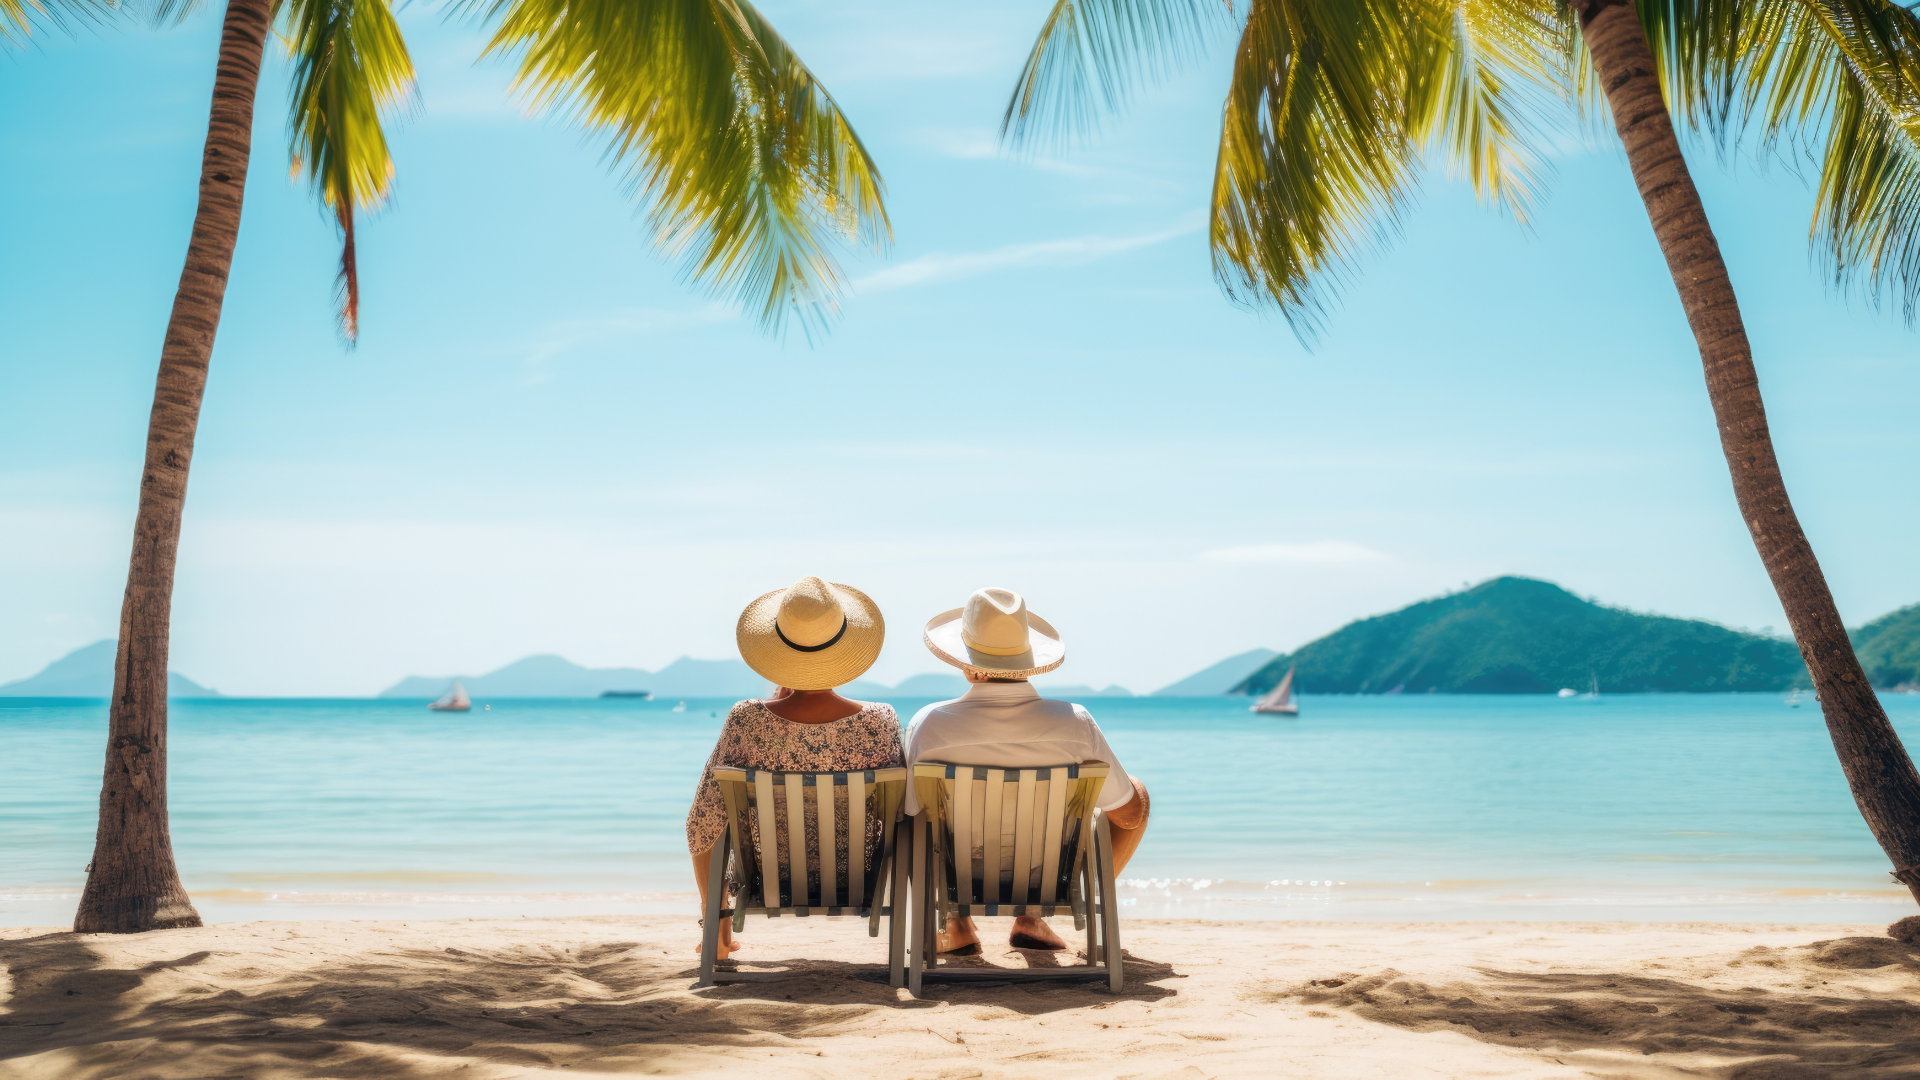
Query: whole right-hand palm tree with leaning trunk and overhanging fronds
(1335, 105)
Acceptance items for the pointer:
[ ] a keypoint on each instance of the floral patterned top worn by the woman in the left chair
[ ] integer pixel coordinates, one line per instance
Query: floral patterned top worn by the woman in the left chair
(756, 739)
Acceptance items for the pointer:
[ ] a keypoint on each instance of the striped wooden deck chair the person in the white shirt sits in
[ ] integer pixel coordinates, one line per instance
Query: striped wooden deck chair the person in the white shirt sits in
(1013, 843)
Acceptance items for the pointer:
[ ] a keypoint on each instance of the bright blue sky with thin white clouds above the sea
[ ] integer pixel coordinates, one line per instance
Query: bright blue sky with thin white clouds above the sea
(548, 443)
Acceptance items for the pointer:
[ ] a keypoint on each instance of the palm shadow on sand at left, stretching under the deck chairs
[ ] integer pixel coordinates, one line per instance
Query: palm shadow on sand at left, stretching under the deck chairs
(66, 1010)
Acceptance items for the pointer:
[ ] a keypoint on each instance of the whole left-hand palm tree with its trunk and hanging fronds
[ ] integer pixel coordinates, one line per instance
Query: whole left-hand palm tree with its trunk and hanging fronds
(746, 159)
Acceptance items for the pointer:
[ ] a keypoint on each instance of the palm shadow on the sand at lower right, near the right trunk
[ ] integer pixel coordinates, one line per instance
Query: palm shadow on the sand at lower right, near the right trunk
(1800, 1027)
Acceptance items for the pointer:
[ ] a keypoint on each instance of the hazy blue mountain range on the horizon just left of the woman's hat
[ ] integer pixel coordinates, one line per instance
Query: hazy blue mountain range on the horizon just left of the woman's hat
(560, 677)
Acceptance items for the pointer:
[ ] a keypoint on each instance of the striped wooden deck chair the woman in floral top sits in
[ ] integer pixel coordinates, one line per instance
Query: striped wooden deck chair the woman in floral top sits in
(853, 879)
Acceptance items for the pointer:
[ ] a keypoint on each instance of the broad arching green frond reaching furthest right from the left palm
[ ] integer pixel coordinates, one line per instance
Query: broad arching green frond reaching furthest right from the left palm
(748, 164)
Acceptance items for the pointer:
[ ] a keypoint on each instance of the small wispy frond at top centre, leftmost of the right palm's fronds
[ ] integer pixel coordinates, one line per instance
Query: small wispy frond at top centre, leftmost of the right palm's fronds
(1092, 53)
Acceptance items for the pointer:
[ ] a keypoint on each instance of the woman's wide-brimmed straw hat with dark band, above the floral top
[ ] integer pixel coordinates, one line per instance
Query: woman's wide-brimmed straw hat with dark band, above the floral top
(813, 635)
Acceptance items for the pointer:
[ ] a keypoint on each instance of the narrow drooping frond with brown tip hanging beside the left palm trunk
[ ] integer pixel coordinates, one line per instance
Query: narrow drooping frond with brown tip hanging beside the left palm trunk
(350, 68)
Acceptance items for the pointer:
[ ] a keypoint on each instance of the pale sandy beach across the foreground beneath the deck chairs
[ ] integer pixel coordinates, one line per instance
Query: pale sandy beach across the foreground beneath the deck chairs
(615, 998)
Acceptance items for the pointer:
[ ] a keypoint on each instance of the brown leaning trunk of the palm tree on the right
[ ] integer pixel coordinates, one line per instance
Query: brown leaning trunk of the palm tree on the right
(1877, 766)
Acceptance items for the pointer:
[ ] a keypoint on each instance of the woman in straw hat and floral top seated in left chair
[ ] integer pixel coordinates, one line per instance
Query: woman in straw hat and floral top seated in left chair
(805, 639)
